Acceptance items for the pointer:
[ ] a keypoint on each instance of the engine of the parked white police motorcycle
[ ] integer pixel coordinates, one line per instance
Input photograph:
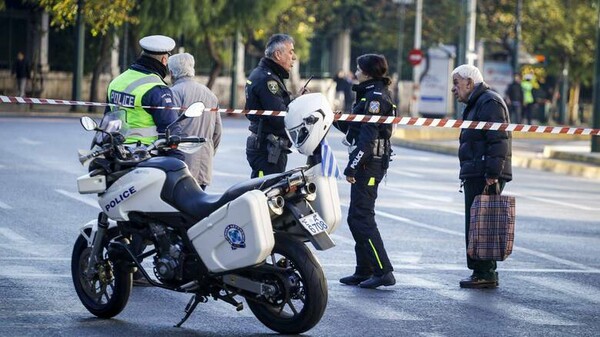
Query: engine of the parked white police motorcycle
(169, 257)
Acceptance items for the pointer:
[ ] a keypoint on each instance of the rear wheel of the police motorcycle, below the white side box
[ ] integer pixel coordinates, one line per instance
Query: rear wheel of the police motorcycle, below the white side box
(301, 304)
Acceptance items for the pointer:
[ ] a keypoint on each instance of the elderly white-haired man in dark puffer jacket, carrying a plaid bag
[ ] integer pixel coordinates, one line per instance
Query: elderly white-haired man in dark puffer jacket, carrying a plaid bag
(485, 156)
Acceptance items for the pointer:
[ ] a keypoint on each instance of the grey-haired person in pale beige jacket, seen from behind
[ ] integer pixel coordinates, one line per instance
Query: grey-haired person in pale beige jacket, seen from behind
(186, 90)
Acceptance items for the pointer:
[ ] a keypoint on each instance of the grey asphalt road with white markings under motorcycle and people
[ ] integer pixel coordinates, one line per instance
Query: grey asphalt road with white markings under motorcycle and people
(549, 286)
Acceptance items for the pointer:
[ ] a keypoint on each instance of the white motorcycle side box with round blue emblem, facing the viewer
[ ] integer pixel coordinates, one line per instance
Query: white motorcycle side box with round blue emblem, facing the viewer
(237, 235)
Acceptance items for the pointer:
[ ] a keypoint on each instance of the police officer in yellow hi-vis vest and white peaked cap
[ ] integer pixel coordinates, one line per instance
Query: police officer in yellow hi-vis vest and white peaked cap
(143, 85)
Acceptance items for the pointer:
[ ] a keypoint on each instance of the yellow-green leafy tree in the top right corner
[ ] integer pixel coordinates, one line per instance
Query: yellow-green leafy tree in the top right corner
(563, 30)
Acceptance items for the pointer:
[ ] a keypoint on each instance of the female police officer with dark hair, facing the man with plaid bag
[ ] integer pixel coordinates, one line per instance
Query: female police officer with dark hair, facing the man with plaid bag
(370, 150)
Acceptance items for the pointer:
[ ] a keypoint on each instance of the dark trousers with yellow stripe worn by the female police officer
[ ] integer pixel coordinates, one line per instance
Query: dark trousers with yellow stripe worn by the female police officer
(371, 257)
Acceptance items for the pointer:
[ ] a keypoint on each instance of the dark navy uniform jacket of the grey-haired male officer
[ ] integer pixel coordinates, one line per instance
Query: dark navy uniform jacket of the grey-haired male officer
(265, 90)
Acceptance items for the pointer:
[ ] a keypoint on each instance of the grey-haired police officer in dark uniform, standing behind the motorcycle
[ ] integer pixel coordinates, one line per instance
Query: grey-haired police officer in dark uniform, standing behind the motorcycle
(268, 145)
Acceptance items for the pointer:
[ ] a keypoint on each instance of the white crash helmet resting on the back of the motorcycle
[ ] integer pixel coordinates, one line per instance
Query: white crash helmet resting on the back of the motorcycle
(307, 121)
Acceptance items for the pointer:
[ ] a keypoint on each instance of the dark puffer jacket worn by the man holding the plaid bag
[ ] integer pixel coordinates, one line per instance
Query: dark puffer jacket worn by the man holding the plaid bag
(485, 153)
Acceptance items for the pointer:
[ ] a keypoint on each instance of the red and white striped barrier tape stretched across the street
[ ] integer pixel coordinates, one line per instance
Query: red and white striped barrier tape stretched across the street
(414, 121)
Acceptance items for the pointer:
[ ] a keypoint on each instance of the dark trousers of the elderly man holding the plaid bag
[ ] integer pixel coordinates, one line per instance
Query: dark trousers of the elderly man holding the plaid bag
(472, 188)
